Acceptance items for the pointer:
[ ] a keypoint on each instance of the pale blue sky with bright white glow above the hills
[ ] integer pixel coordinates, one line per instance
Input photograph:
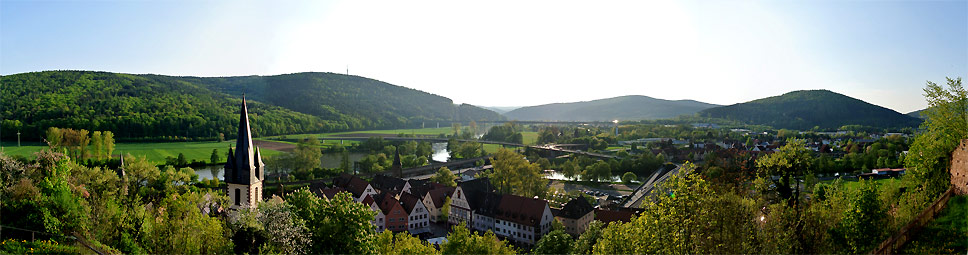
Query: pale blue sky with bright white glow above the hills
(514, 53)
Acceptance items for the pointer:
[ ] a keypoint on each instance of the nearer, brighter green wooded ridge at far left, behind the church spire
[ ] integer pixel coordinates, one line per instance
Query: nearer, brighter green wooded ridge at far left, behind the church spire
(133, 106)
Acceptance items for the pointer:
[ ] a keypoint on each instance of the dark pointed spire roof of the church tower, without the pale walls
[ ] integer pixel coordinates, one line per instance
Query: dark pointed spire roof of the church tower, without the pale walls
(244, 165)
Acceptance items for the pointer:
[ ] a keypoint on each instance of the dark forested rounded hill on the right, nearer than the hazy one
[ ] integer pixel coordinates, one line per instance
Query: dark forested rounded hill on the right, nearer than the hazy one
(807, 109)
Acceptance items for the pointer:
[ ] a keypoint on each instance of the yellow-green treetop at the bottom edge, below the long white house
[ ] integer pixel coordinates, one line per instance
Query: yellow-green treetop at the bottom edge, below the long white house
(460, 240)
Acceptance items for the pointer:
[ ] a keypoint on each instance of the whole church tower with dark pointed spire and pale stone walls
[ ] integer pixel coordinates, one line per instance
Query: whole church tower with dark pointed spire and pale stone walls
(244, 170)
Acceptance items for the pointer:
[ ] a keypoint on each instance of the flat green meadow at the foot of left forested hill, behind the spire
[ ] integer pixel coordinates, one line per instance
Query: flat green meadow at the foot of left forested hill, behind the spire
(154, 152)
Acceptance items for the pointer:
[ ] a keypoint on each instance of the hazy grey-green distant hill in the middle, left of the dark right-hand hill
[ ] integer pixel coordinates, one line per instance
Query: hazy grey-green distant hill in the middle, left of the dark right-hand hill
(620, 108)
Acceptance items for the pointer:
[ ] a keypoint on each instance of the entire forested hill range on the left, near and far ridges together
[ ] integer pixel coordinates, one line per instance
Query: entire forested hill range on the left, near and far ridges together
(157, 107)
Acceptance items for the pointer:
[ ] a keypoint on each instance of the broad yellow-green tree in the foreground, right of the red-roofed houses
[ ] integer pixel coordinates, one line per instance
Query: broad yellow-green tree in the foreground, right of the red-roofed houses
(685, 217)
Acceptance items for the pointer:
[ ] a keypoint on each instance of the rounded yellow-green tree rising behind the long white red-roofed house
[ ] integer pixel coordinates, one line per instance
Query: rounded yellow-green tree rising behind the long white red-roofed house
(513, 174)
